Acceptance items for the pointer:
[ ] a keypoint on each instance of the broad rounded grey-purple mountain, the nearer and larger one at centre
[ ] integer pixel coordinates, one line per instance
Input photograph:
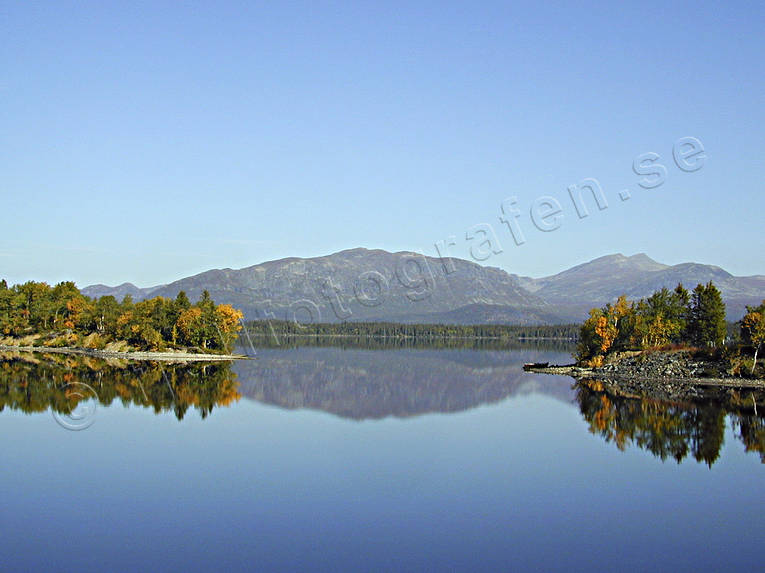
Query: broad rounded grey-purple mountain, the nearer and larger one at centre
(361, 284)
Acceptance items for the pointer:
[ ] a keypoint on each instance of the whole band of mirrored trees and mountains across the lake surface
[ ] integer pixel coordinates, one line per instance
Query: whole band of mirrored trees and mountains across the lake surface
(367, 384)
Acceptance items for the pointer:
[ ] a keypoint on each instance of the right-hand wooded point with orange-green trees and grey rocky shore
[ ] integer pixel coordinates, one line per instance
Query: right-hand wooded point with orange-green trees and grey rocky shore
(673, 334)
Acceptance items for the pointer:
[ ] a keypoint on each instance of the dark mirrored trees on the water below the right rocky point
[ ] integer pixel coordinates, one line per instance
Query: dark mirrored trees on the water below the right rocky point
(670, 429)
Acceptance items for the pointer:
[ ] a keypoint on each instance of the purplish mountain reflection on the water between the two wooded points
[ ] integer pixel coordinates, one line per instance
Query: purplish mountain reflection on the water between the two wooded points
(373, 384)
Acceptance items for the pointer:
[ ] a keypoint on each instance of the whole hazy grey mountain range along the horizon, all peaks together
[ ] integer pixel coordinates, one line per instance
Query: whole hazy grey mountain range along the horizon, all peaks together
(376, 285)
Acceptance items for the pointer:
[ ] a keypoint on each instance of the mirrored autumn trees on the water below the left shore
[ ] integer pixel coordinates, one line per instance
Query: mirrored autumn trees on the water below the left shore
(37, 383)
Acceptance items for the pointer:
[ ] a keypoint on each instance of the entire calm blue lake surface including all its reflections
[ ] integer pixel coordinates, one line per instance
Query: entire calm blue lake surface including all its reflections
(333, 459)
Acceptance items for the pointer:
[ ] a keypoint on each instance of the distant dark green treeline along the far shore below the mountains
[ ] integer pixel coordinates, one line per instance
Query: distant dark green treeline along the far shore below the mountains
(281, 329)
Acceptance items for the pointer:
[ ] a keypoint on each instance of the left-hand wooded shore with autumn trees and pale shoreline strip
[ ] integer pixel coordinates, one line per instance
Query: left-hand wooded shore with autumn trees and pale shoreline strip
(35, 315)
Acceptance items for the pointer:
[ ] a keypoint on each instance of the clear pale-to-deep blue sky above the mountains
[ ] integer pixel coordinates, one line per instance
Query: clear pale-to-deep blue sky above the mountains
(147, 141)
